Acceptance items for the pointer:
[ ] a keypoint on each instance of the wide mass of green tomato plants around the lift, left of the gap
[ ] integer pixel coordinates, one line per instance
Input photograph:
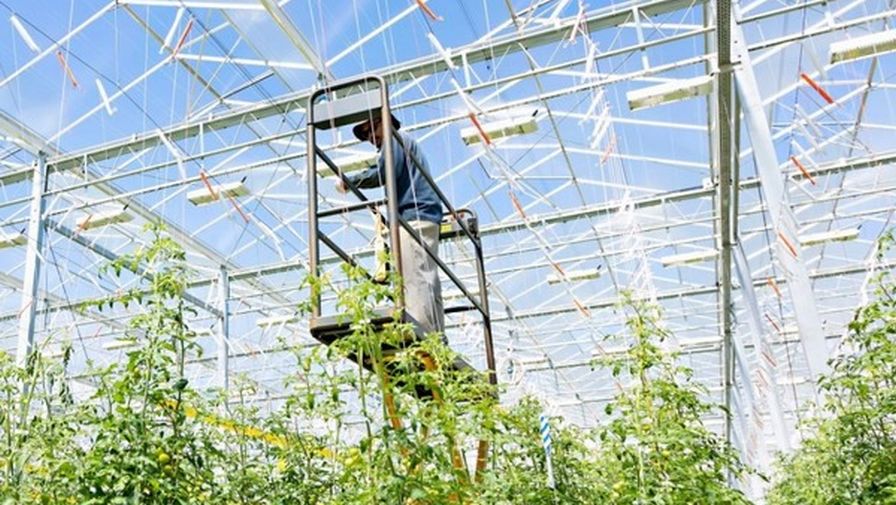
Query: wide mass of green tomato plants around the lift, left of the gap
(343, 434)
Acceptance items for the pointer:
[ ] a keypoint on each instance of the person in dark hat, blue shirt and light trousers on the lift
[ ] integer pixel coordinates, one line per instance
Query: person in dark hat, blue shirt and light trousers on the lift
(419, 206)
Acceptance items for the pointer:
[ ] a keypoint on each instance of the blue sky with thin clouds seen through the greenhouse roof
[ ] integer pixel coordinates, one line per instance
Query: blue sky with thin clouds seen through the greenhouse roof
(656, 150)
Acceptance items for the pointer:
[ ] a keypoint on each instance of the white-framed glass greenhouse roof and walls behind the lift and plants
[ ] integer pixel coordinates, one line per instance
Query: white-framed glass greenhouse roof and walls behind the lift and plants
(737, 174)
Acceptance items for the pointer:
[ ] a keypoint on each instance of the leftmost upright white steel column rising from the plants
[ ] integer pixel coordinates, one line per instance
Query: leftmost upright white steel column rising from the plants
(32, 261)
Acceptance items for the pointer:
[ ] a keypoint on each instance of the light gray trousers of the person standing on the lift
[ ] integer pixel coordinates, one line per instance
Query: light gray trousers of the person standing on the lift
(422, 288)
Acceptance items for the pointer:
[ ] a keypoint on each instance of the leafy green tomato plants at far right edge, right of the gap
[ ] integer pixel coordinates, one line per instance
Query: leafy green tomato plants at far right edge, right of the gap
(851, 457)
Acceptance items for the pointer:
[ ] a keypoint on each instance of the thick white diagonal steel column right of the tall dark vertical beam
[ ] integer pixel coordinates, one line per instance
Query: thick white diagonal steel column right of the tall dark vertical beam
(787, 246)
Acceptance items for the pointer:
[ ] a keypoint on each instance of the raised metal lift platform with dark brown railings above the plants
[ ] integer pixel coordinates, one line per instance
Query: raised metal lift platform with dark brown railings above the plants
(351, 102)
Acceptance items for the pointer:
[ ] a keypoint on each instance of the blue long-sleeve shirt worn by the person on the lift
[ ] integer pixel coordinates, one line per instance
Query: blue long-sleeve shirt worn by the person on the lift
(416, 198)
